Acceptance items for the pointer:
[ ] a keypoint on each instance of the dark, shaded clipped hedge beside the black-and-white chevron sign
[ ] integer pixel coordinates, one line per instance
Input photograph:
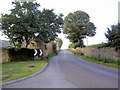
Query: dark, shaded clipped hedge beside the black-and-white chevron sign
(22, 54)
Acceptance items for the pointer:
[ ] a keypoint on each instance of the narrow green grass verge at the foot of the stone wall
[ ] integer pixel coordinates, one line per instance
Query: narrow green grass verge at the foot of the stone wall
(104, 61)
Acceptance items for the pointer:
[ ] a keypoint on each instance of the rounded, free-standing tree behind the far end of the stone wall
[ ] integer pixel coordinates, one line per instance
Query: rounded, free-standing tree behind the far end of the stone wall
(77, 26)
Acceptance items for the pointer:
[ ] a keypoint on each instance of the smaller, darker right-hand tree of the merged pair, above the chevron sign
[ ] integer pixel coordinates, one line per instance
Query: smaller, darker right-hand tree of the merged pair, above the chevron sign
(49, 24)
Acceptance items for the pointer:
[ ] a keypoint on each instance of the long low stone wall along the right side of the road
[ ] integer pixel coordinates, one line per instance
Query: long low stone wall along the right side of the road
(101, 52)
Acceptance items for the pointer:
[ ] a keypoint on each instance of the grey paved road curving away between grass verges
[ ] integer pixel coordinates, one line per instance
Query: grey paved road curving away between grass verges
(69, 71)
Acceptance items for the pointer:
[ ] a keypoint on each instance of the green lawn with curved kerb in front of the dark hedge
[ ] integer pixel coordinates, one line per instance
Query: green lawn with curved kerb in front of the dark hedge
(20, 69)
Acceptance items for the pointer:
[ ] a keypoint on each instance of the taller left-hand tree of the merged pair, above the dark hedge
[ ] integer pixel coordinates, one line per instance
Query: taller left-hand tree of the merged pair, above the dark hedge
(18, 25)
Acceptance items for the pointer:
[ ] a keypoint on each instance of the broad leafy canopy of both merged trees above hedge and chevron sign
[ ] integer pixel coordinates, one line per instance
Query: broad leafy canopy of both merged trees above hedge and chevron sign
(25, 22)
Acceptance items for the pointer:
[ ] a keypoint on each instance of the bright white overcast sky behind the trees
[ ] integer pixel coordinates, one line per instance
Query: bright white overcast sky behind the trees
(103, 13)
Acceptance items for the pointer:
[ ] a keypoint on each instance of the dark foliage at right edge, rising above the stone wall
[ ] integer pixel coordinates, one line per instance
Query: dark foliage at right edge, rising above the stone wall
(113, 36)
